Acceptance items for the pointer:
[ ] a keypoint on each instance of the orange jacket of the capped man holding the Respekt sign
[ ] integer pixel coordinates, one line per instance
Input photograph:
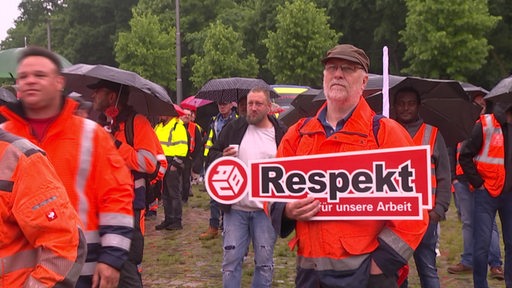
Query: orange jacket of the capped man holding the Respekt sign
(344, 245)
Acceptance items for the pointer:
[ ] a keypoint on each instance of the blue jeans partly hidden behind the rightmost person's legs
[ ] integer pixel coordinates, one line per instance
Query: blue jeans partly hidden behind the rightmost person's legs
(466, 204)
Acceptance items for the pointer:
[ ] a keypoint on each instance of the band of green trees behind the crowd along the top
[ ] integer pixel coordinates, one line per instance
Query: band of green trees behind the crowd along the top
(276, 40)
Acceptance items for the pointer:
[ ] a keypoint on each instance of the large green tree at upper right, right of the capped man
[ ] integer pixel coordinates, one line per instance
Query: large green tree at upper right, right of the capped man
(446, 39)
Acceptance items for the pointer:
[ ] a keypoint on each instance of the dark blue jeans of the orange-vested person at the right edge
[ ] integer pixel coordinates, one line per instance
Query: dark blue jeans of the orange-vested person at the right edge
(486, 207)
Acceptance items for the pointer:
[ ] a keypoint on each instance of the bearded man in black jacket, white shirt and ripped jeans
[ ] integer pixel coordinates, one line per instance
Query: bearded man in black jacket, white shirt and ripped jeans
(257, 136)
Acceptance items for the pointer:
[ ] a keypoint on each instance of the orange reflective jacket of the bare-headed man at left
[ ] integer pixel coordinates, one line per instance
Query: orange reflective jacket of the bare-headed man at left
(97, 181)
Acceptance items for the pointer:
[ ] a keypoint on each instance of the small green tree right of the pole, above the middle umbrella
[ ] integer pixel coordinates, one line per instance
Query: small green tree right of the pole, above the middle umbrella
(223, 56)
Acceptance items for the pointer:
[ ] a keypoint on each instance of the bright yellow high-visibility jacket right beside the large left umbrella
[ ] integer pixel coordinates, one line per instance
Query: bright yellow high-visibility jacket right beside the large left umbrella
(173, 137)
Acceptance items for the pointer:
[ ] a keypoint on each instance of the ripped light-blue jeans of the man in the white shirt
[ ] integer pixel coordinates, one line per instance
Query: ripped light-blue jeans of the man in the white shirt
(240, 227)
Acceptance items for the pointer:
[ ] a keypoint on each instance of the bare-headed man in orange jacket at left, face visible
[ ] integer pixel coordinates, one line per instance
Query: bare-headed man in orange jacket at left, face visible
(84, 156)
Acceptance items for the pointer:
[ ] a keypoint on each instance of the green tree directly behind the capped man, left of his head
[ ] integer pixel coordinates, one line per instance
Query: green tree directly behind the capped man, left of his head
(298, 44)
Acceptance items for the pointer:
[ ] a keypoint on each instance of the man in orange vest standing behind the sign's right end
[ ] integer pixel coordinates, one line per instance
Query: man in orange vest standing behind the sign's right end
(407, 105)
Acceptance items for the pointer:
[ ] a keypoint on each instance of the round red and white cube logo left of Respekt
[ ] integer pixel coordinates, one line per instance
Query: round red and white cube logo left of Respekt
(226, 180)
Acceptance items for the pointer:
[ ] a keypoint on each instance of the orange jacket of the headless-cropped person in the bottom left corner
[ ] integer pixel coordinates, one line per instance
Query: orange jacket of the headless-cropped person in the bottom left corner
(41, 242)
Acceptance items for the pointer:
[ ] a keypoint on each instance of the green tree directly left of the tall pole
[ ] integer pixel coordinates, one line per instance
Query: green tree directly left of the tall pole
(148, 49)
